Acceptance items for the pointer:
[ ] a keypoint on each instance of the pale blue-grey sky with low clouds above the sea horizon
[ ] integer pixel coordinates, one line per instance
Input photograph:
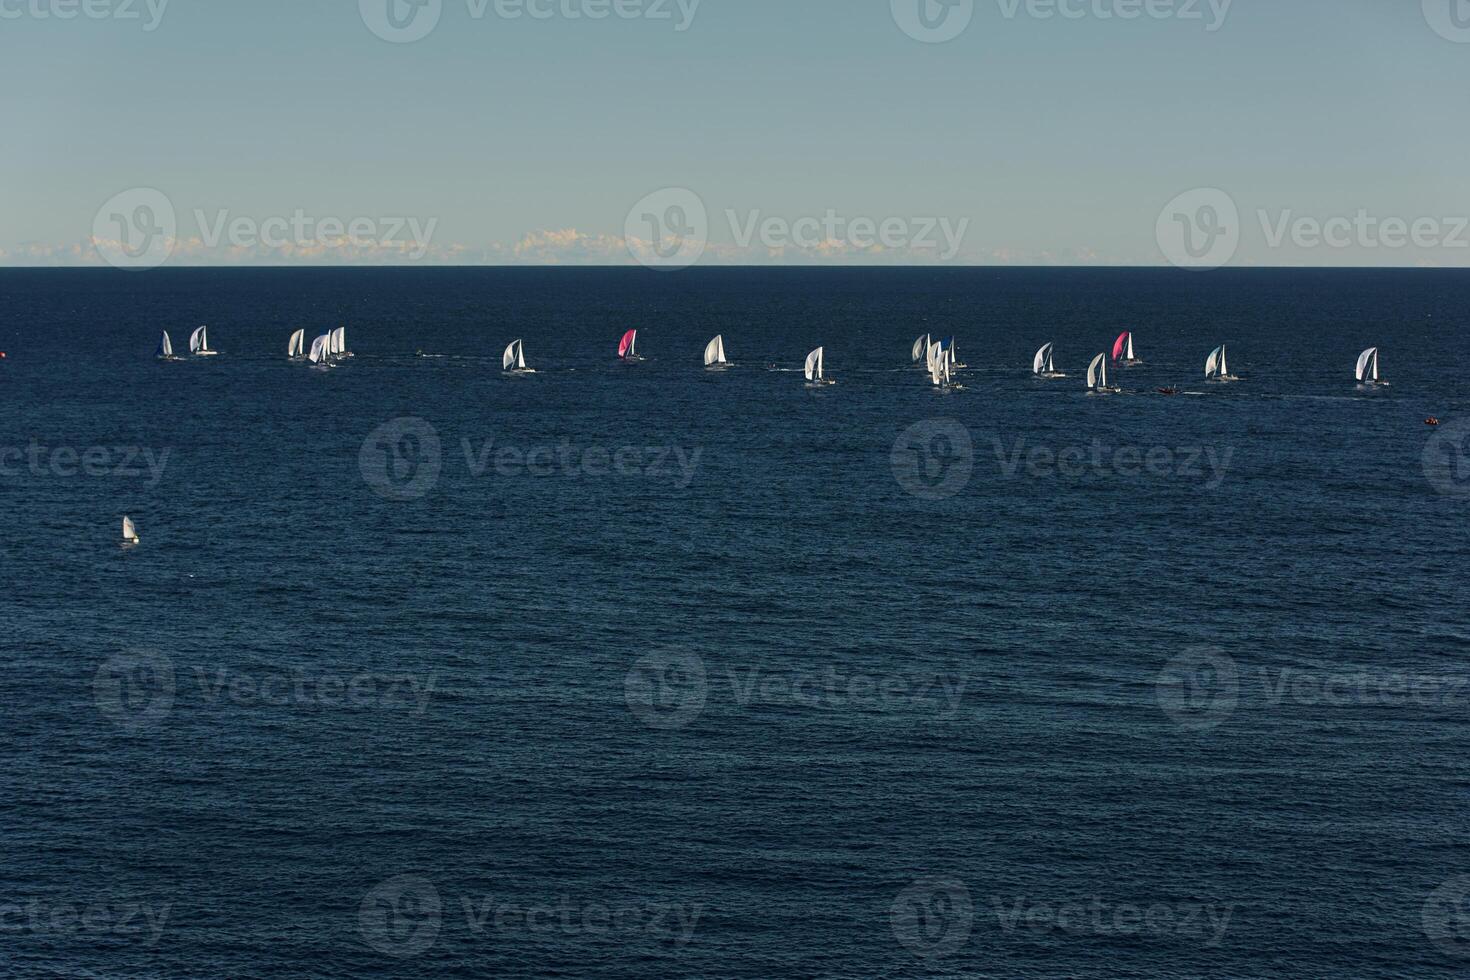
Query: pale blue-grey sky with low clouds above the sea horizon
(1197, 133)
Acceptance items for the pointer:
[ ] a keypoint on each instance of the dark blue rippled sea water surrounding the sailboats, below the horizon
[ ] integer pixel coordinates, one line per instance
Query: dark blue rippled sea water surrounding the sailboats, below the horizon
(712, 675)
